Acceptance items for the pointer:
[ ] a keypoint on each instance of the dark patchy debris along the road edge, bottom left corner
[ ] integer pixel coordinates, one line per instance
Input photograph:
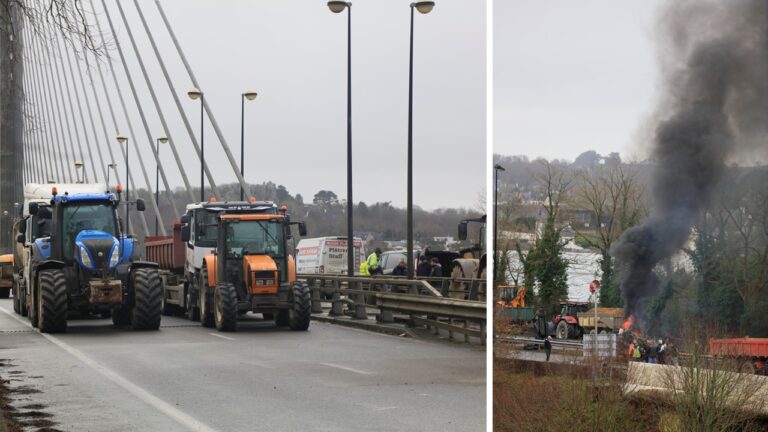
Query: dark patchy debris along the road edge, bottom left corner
(20, 417)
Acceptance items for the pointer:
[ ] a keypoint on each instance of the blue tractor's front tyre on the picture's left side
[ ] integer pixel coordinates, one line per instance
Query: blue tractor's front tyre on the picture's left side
(52, 302)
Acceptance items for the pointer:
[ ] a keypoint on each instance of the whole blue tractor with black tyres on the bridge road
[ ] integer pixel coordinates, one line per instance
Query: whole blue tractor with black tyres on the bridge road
(87, 264)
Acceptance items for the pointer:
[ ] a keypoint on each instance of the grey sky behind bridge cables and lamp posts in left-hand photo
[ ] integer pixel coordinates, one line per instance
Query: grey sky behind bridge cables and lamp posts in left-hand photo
(294, 55)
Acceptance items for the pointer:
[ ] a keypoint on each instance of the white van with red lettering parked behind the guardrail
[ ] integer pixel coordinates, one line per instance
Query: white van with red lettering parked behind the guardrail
(327, 255)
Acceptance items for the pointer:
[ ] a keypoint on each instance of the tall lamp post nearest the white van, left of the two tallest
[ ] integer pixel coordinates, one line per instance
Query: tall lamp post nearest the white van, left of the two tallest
(338, 7)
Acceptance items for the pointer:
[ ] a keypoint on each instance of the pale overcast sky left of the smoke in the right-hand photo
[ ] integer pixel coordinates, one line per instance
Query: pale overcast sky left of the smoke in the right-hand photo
(572, 76)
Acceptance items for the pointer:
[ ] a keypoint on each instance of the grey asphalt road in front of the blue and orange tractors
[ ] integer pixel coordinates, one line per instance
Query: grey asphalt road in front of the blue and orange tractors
(97, 377)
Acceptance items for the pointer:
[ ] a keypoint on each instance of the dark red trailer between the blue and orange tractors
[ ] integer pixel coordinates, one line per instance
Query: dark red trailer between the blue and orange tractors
(169, 253)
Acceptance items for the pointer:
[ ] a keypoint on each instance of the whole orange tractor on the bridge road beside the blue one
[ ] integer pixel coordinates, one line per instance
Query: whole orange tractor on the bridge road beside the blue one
(250, 270)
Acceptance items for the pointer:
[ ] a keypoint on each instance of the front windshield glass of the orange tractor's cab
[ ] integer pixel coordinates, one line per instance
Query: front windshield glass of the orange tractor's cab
(255, 237)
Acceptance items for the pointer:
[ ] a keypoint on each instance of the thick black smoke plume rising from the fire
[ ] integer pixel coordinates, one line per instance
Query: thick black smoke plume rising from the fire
(714, 112)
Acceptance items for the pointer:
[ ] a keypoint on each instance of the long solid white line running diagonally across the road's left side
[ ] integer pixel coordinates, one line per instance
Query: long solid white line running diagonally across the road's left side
(148, 398)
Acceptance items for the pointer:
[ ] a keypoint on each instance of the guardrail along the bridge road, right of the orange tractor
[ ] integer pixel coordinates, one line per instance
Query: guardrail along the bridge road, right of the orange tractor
(422, 303)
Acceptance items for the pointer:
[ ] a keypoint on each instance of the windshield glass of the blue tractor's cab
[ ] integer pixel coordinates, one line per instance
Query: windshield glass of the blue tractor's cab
(82, 216)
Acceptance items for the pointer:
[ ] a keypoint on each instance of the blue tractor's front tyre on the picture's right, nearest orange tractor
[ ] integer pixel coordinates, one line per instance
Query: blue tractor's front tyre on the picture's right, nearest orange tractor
(147, 299)
